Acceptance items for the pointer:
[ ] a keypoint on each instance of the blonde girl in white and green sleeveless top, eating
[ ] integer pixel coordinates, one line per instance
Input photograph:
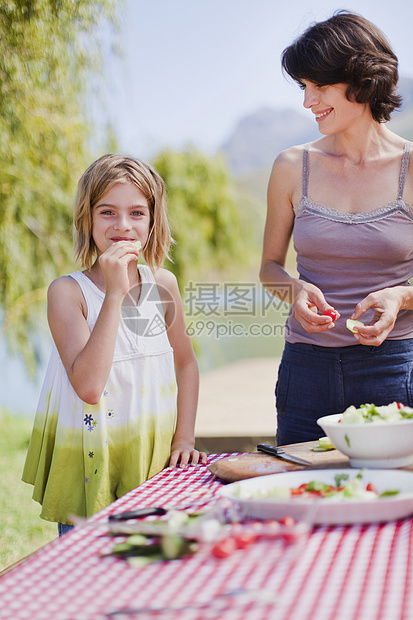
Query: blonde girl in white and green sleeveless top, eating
(120, 394)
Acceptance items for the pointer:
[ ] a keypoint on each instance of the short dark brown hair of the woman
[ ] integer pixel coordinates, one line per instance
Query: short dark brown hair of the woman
(347, 49)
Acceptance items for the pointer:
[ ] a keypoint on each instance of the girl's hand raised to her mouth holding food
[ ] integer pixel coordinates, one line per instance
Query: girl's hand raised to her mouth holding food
(115, 262)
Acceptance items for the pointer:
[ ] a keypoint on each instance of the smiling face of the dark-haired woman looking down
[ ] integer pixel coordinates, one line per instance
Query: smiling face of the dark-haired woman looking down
(333, 111)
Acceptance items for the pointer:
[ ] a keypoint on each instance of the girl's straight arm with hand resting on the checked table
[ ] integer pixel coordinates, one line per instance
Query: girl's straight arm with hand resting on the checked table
(187, 375)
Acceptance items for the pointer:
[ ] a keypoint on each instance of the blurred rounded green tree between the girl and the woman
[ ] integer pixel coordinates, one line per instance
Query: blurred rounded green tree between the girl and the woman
(209, 232)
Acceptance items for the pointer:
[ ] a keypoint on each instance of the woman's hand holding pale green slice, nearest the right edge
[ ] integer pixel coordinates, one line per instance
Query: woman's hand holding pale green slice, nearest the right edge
(386, 304)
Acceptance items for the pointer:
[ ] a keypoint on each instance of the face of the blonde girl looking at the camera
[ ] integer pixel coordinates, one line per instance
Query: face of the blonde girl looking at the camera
(122, 214)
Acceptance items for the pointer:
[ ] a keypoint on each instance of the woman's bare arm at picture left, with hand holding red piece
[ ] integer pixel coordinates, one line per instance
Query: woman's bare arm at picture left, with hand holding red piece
(284, 190)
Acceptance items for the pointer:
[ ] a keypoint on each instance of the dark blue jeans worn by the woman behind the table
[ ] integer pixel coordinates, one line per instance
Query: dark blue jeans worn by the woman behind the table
(315, 381)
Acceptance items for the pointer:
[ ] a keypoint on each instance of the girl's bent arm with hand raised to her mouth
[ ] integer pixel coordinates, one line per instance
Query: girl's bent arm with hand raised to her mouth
(88, 356)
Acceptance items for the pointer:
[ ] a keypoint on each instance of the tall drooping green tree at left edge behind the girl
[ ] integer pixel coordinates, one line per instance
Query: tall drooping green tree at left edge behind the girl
(48, 49)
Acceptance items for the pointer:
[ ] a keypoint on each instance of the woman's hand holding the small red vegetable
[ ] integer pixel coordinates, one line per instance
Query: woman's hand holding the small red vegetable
(309, 305)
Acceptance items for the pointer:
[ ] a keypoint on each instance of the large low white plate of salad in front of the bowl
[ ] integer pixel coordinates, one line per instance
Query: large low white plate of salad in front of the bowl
(321, 511)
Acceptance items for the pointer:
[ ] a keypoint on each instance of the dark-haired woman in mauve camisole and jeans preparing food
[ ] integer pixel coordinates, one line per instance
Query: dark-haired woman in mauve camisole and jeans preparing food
(345, 199)
